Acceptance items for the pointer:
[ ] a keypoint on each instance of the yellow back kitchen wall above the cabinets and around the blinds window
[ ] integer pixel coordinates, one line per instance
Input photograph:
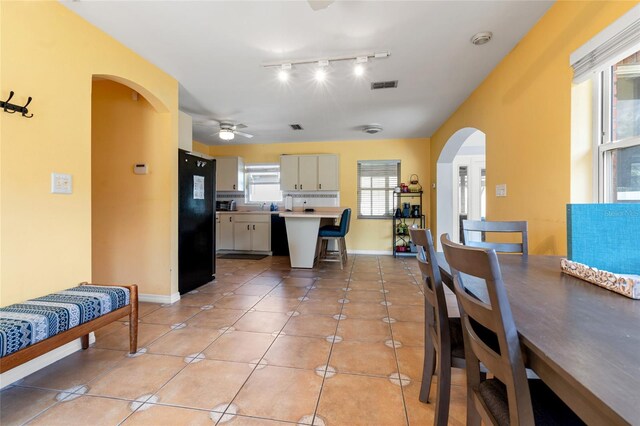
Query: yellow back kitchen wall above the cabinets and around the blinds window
(364, 234)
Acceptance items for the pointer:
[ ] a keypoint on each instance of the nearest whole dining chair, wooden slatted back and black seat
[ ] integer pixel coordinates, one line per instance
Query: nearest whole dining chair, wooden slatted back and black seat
(510, 398)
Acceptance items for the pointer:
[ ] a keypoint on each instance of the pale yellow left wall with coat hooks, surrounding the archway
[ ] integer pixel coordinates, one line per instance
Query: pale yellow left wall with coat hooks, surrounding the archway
(51, 54)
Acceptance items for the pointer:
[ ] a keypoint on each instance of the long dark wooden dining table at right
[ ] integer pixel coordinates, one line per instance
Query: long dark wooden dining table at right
(582, 340)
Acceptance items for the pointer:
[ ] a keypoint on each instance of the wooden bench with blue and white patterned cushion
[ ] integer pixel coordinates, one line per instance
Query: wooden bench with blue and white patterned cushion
(21, 316)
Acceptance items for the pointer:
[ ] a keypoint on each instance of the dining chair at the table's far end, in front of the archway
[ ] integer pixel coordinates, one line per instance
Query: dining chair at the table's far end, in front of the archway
(471, 227)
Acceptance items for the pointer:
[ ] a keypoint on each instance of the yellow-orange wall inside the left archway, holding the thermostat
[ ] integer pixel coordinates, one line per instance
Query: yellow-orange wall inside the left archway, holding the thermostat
(131, 221)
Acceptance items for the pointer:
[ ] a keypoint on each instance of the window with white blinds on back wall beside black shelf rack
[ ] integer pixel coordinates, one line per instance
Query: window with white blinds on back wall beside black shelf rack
(376, 181)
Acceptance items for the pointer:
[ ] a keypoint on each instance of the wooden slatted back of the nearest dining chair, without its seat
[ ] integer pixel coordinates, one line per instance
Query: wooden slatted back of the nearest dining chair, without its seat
(507, 364)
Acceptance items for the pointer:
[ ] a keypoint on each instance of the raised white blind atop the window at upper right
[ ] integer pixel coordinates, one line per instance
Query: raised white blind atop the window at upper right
(609, 46)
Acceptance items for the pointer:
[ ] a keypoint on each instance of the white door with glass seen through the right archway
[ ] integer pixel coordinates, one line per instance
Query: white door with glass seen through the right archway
(469, 192)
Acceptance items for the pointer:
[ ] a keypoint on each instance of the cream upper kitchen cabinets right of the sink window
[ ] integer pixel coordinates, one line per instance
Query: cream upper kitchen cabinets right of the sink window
(309, 172)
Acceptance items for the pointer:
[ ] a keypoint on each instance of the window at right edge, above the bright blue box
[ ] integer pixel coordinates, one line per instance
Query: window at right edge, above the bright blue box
(619, 147)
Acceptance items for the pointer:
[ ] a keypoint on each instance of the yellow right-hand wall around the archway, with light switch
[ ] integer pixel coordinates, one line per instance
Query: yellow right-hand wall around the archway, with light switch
(524, 108)
